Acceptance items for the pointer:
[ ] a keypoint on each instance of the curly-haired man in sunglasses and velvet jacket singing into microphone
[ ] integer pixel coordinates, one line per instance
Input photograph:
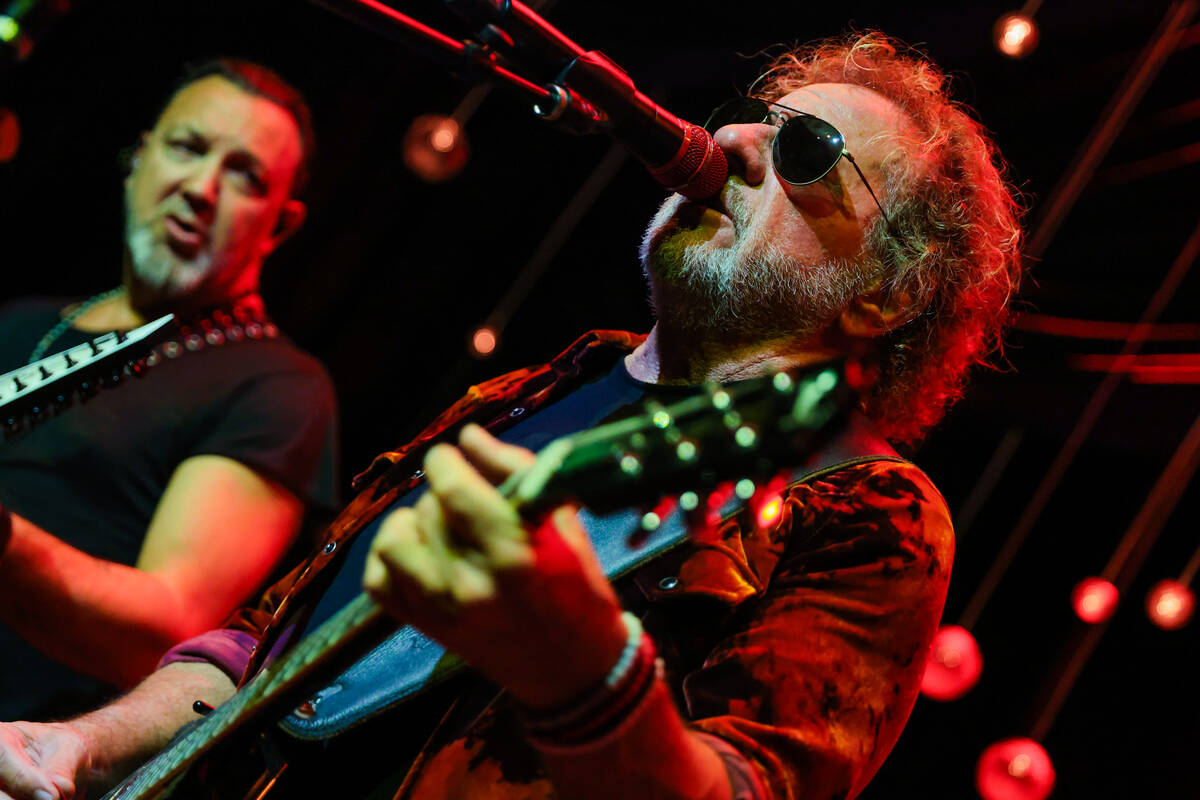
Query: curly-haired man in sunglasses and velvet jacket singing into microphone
(791, 653)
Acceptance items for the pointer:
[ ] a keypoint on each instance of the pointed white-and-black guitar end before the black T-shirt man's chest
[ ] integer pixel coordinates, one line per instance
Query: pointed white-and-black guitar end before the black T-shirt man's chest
(32, 393)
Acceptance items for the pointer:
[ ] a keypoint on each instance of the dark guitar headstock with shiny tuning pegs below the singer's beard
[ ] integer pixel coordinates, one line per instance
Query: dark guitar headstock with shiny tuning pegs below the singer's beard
(747, 431)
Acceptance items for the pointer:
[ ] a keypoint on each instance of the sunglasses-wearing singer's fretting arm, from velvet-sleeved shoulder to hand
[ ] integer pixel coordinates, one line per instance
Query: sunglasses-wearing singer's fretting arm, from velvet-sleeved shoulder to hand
(807, 695)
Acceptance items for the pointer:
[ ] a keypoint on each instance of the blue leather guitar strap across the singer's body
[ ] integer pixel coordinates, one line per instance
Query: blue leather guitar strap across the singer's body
(409, 664)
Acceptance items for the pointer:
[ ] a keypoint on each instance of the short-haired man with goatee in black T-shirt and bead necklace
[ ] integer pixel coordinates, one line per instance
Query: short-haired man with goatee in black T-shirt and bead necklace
(146, 515)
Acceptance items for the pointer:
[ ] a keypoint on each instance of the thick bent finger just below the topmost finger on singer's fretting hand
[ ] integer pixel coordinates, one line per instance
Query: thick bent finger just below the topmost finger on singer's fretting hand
(472, 508)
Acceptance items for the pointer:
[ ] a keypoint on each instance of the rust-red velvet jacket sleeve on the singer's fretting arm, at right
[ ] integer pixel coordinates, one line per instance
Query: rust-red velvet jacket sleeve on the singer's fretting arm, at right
(818, 673)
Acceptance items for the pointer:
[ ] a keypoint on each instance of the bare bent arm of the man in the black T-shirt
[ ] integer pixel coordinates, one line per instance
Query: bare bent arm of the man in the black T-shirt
(217, 533)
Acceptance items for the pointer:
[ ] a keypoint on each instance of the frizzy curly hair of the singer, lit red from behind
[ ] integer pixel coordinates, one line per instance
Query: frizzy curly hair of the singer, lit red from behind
(955, 244)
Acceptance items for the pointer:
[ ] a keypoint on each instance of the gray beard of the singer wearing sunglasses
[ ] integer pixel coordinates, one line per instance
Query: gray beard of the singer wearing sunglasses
(753, 292)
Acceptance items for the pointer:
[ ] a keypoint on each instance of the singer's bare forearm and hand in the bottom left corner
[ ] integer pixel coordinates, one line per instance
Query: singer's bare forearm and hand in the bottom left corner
(58, 759)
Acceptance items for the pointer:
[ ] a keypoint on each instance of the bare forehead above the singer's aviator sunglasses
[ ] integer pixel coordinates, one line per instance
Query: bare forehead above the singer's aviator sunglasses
(860, 113)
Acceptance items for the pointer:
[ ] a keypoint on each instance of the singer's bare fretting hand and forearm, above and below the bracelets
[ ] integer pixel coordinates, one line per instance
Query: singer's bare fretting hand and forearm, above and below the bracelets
(535, 612)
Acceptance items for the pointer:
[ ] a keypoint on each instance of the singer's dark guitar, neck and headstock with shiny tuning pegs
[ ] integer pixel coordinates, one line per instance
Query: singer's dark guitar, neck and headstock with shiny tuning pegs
(724, 440)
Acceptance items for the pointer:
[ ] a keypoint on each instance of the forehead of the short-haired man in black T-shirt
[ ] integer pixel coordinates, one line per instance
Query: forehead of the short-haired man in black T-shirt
(232, 118)
